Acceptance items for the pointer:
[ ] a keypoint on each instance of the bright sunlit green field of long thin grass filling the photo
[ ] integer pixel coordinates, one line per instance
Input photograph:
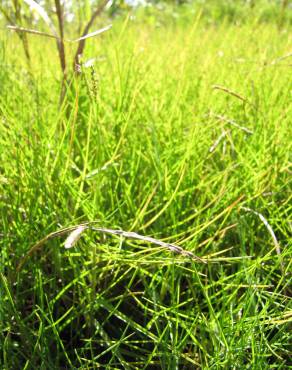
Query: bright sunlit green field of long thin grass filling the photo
(181, 132)
